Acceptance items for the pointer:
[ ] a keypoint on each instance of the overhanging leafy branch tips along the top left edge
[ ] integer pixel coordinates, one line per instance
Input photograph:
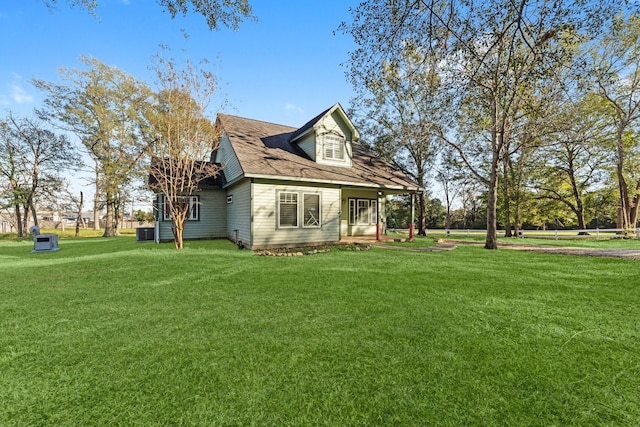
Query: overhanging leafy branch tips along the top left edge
(228, 13)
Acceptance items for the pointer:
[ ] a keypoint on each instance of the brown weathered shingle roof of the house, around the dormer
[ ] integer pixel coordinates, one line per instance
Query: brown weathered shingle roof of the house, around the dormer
(264, 149)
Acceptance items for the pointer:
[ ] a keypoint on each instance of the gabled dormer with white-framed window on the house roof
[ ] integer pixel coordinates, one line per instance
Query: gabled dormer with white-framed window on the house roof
(327, 138)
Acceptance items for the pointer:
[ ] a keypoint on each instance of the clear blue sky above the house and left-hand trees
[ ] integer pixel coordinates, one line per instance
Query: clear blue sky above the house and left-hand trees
(283, 68)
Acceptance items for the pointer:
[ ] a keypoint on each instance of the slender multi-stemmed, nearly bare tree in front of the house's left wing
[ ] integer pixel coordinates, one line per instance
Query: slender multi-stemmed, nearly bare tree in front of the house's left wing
(181, 139)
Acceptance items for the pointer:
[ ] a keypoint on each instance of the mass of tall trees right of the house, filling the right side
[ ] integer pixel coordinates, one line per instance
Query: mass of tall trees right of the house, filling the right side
(528, 108)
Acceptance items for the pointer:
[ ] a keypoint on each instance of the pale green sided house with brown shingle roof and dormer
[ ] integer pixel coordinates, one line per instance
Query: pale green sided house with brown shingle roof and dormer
(282, 186)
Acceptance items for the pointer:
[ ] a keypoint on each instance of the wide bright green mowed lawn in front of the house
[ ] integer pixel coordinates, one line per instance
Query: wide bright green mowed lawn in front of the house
(110, 331)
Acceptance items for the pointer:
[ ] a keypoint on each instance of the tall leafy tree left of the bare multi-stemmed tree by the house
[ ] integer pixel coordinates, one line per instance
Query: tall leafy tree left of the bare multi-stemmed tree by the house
(106, 108)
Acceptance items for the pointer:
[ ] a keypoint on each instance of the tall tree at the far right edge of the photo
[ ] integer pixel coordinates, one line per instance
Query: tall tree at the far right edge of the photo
(615, 66)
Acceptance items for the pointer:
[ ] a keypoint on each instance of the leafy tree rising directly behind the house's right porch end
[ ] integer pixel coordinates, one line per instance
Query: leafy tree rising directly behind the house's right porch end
(398, 103)
